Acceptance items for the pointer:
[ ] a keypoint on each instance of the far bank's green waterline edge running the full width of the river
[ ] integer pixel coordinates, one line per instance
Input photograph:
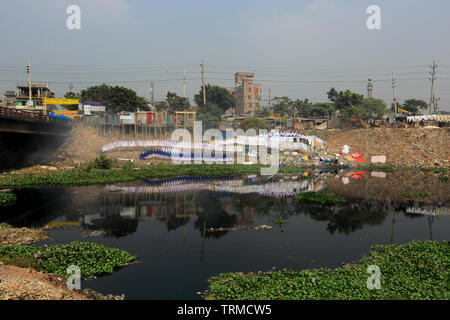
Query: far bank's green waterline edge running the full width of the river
(88, 175)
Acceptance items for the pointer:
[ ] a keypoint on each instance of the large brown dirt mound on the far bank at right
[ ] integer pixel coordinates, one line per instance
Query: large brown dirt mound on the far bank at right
(410, 147)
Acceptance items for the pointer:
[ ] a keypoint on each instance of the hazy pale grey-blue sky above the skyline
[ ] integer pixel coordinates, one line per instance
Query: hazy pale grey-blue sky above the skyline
(297, 48)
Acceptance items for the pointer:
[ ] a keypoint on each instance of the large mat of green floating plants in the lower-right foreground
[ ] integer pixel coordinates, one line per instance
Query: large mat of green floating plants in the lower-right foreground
(416, 270)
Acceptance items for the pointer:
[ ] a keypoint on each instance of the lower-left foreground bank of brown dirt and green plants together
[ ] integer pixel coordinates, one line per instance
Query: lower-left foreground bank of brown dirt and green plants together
(38, 273)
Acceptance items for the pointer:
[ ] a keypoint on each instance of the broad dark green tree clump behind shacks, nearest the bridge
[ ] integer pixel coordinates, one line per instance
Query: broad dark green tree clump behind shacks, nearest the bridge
(115, 99)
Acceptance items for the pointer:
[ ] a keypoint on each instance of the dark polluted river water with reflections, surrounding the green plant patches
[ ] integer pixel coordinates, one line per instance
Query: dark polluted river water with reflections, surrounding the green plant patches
(185, 230)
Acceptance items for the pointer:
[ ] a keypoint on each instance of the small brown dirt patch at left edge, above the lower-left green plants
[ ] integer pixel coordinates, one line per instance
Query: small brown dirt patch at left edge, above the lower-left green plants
(11, 236)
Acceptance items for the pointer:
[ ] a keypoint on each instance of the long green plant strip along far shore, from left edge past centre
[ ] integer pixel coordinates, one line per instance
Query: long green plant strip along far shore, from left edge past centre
(82, 176)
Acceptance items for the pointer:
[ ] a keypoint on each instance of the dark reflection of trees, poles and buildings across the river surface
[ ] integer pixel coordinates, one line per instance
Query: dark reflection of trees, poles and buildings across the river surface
(212, 203)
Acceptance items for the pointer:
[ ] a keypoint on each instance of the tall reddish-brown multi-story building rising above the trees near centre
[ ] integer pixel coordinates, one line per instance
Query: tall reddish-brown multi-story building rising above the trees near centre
(247, 93)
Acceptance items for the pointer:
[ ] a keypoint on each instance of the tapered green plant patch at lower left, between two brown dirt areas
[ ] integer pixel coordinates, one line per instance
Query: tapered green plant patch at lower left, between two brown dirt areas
(91, 258)
